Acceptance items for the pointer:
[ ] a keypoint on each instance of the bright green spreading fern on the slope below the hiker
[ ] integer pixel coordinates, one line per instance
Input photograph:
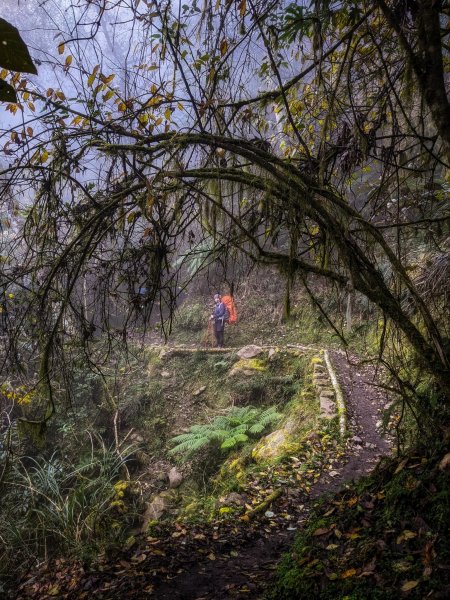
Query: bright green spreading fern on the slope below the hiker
(227, 431)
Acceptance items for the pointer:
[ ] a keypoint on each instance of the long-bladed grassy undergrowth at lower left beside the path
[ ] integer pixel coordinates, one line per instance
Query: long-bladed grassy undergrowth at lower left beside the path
(77, 504)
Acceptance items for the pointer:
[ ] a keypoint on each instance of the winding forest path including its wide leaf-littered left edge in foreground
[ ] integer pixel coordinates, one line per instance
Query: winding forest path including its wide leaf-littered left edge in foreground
(235, 560)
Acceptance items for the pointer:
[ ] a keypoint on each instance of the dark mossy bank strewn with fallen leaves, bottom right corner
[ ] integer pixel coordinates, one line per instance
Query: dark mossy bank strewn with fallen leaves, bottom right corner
(386, 537)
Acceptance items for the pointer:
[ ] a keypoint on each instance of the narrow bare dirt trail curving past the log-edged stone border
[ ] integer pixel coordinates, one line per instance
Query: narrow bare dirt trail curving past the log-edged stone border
(249, 573)
